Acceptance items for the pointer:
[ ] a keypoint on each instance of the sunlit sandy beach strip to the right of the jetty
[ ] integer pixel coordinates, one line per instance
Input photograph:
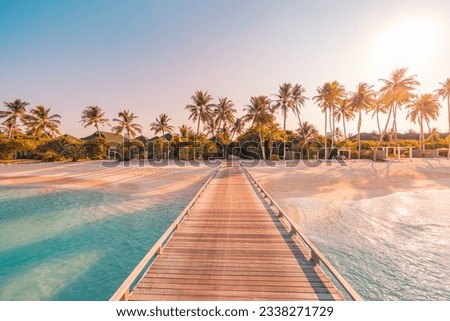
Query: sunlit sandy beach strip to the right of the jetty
(359, 179)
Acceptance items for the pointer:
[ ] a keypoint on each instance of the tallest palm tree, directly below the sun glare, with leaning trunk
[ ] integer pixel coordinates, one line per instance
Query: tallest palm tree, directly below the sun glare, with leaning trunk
(397, 91)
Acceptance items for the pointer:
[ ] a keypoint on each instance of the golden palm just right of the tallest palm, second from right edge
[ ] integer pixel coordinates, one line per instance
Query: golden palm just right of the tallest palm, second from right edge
(422, 109)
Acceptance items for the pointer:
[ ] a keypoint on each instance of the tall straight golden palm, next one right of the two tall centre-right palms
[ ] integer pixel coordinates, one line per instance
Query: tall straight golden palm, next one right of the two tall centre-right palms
(329, 97)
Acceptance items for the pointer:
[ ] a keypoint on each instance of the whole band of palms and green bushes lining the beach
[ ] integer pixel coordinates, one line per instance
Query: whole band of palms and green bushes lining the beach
(219, 130)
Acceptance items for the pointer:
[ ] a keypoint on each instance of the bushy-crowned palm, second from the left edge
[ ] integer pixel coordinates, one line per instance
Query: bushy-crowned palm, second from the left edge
(41, 122)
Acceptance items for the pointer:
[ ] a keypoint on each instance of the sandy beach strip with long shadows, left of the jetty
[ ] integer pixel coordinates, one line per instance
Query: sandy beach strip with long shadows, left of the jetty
(144, 182)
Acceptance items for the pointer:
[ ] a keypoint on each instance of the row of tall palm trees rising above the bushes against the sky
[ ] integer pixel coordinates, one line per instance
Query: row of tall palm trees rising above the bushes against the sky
(219, 120)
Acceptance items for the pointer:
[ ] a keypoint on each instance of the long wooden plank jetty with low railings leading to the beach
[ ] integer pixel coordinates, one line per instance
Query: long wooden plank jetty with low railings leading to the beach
(233, 242)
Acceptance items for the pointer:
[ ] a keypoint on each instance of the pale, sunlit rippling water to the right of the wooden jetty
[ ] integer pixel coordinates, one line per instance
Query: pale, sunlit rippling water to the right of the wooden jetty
(394, 247)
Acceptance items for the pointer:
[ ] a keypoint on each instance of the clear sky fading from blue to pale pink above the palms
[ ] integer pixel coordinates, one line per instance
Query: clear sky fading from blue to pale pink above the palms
(151, 56)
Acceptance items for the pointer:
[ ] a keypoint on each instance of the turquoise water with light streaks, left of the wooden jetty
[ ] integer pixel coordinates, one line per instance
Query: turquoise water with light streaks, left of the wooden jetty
(73, 244)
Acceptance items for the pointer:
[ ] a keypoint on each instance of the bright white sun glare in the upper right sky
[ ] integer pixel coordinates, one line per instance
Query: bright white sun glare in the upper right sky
(412, 43)
